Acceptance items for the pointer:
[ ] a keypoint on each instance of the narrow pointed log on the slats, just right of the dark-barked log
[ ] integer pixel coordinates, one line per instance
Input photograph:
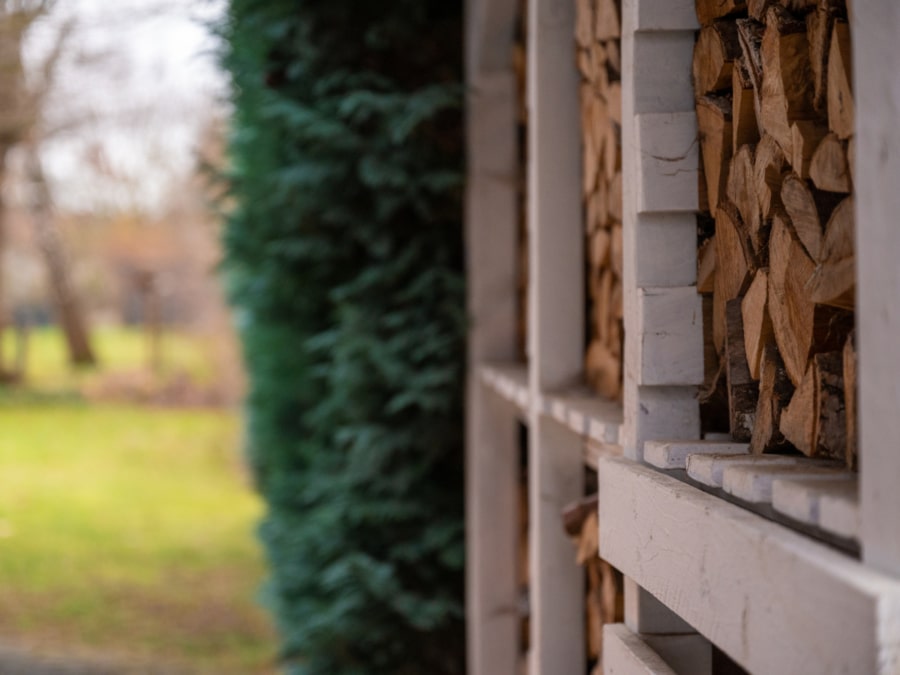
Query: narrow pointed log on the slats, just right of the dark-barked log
(775, 391)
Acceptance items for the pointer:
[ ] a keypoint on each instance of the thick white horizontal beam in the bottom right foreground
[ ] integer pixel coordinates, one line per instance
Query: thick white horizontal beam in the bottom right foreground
(773, 600)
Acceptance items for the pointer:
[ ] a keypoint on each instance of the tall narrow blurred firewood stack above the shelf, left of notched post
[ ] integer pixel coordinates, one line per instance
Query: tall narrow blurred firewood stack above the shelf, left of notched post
(597, 34)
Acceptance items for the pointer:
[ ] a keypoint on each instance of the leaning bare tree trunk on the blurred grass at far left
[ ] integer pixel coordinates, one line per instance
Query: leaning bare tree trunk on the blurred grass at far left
(71, 316)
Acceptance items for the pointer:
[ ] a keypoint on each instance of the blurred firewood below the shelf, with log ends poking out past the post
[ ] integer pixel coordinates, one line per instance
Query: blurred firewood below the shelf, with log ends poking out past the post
(605, 598)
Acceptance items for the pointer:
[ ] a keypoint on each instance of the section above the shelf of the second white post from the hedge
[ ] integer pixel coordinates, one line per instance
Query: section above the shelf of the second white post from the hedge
(556, 232)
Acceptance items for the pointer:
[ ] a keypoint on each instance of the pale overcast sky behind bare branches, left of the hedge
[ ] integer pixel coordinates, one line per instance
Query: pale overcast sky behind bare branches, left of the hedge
(137, 82)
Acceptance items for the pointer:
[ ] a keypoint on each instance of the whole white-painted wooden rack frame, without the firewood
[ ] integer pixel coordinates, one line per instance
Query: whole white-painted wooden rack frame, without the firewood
(787, 565)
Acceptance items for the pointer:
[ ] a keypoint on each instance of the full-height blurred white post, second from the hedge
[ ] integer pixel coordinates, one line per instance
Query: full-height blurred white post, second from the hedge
(556, 319)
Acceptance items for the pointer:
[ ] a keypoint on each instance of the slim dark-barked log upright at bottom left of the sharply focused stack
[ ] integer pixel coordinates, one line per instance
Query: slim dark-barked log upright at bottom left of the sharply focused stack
(743, 391)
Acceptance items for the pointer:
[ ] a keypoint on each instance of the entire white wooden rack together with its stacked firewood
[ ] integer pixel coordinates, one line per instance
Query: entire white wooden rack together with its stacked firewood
(733, 559)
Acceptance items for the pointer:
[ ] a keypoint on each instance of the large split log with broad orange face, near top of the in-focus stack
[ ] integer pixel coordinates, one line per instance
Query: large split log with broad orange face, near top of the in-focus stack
(787, 84)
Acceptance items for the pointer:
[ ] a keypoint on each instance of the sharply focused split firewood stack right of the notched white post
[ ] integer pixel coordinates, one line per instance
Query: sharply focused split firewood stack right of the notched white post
(773, 86)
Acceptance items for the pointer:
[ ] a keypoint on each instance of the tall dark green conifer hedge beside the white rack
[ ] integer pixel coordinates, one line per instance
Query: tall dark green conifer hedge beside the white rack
(344, 262)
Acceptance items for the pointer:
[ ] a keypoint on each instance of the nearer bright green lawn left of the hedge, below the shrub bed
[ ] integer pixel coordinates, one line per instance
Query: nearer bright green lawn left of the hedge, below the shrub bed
(129, 531)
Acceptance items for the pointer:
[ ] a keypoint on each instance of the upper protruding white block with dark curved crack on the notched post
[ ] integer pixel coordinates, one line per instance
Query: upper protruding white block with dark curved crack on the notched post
(668, 153)
